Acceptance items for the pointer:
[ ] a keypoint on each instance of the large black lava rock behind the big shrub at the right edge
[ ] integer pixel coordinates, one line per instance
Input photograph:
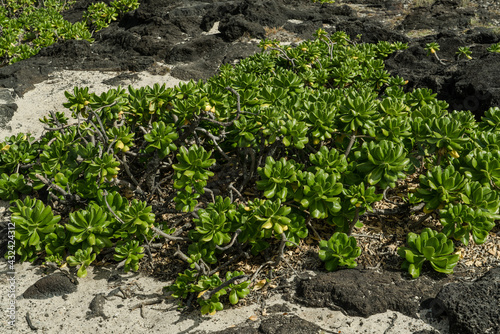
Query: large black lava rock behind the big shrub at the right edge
(472, 85)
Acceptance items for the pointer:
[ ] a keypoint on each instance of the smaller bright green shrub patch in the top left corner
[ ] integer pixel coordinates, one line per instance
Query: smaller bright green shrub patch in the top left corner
(30, 25)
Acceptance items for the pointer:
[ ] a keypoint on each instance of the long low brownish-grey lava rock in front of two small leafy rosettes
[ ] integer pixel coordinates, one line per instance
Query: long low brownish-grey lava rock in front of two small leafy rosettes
(367, 292)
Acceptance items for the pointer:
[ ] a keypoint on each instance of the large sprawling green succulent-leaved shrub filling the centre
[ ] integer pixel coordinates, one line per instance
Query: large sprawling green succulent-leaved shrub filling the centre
(251, 160)
